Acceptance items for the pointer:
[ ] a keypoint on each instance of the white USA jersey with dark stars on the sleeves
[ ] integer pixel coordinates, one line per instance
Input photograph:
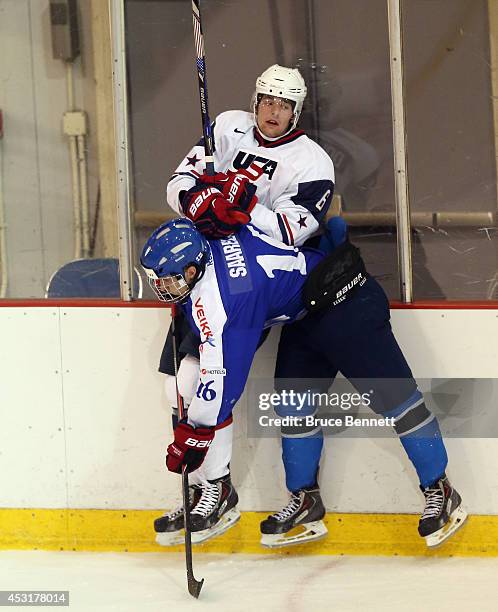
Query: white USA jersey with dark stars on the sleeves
(296, 187)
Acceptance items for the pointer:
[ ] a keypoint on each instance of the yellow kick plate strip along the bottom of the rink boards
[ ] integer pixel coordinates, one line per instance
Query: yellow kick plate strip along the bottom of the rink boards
(132, 531)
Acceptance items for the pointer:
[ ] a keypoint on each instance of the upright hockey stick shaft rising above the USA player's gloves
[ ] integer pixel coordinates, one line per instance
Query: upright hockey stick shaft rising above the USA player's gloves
(202, 81)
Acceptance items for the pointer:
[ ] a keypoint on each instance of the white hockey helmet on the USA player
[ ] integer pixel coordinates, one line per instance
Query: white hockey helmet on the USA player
(281, 82)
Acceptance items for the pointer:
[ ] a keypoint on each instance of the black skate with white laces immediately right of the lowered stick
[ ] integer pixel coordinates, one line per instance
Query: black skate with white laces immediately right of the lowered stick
(215, 511)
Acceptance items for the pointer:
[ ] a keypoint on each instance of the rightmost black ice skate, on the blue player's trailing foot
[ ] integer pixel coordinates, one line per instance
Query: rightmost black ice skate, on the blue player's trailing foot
(443, 513)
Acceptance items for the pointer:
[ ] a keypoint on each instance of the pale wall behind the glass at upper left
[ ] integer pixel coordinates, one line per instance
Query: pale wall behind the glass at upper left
(36, 168)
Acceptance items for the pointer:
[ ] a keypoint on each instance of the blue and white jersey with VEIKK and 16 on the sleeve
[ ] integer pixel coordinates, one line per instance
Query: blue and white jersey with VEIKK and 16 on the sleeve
(251, 282)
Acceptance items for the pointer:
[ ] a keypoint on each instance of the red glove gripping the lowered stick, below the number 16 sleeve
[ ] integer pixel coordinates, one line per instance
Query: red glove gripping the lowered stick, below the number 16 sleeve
(189, 447)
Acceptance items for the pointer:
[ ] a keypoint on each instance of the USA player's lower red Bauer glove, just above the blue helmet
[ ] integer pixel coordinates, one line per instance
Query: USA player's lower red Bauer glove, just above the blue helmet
(213, 215)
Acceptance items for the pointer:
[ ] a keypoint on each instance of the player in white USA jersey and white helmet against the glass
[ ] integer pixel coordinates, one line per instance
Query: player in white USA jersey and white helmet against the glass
(268, 170)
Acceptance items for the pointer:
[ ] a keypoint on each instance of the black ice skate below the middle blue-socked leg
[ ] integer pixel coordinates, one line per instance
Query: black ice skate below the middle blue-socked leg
(299, 522)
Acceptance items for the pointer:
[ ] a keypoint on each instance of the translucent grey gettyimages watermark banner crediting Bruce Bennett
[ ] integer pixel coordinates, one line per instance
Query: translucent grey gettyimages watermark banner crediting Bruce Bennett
(465, 408)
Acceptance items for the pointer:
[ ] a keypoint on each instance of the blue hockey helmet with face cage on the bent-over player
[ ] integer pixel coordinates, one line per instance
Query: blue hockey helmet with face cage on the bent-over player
(171, 248)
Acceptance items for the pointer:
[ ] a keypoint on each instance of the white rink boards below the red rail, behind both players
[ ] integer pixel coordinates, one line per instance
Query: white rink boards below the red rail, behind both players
(84, 423)
